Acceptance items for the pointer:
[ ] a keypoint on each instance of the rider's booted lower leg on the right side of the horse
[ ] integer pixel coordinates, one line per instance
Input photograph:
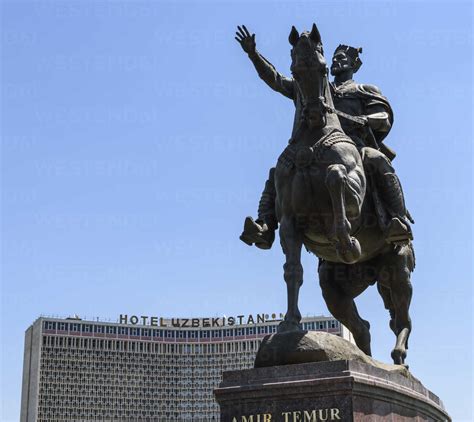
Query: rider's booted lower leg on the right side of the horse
(398, 229)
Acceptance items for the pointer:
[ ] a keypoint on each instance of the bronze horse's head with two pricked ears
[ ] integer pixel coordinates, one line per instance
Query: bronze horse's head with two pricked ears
(309, 69)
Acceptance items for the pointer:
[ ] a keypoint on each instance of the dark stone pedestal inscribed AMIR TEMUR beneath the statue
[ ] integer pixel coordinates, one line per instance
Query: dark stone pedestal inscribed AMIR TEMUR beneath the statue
(344, 390)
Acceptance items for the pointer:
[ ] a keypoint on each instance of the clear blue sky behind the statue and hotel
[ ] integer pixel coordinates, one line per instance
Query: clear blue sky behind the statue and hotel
(137, 136)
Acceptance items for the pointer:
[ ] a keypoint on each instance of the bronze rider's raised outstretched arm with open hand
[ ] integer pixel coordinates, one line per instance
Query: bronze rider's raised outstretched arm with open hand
(265, 69)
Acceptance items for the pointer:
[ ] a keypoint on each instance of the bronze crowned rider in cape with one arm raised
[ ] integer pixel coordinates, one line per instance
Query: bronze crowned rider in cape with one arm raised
(364, 101)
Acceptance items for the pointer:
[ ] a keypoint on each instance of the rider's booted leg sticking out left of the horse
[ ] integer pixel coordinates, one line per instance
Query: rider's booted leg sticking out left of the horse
(261, 232)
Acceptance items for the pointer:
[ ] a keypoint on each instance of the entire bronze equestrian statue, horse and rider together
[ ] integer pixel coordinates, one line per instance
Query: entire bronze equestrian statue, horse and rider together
(334, 190)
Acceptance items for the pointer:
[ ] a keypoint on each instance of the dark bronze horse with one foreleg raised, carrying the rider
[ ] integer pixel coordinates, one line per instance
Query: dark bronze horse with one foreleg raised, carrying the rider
(324, 201)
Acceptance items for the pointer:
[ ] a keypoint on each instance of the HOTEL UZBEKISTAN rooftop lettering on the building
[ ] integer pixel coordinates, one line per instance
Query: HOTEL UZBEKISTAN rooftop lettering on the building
(224, 321)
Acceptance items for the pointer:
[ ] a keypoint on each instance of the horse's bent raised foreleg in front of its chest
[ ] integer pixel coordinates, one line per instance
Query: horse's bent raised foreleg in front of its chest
(348, 247)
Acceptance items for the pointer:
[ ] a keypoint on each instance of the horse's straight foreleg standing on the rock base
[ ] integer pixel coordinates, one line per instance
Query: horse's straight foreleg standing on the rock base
(291, 242)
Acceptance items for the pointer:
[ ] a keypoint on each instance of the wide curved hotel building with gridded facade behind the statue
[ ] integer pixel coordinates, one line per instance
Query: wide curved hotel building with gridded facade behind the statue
(76, 370)
